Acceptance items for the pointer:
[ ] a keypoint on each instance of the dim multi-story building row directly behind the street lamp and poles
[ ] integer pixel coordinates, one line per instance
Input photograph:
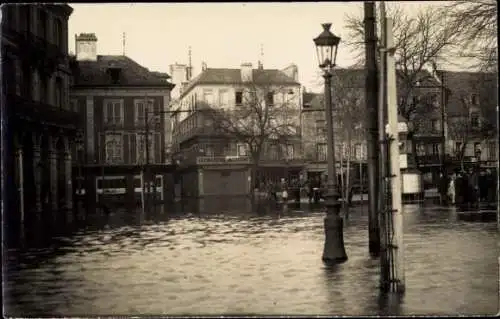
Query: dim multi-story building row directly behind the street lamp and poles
(349, 121)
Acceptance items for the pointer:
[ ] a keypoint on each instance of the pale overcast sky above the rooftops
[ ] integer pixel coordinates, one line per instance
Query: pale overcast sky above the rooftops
(224, 35)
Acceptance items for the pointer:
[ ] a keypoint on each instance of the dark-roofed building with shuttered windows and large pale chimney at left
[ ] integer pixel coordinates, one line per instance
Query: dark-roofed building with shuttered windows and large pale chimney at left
(124, 105)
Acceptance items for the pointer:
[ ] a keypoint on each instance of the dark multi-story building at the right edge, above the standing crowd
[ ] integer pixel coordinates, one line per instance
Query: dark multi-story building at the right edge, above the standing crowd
(471, 118)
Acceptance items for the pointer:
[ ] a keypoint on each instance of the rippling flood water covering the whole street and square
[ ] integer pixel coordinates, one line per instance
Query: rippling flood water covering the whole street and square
(268, 264)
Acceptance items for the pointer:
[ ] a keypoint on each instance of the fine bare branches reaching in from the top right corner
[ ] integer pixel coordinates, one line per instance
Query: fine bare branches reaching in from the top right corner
(476, 24)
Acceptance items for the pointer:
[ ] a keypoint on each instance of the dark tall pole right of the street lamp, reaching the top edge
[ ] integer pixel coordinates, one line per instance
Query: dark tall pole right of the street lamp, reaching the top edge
(372, 138)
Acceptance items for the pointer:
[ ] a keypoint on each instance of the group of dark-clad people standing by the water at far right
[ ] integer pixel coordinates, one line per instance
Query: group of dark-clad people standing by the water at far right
(468, 187)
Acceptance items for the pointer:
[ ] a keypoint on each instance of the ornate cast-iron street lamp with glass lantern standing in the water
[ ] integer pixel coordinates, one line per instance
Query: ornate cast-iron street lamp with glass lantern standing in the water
(334, 251)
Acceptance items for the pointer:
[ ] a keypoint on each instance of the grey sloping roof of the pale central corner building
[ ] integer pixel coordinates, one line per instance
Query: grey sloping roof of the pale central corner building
(233, 76)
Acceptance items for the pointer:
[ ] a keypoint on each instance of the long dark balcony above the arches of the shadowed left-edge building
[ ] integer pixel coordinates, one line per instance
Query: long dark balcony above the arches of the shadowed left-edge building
(41, 113)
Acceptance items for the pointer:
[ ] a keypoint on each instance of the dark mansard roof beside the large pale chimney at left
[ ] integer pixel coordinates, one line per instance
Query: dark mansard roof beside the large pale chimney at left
(95, 73)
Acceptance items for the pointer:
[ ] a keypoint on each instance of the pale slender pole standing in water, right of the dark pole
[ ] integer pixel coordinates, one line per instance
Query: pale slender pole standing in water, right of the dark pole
(394, 248)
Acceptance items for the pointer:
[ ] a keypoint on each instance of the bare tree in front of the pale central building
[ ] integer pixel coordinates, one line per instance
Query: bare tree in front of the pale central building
(267, 115)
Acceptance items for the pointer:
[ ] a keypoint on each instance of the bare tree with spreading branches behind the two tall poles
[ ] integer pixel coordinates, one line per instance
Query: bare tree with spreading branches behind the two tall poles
(420, 41)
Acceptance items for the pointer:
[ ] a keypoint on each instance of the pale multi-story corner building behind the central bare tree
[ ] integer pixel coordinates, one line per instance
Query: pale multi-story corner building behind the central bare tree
(217, 164)
